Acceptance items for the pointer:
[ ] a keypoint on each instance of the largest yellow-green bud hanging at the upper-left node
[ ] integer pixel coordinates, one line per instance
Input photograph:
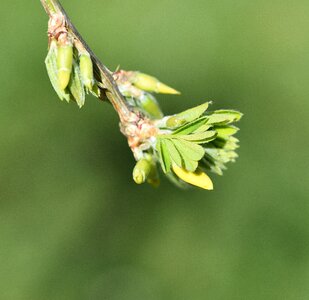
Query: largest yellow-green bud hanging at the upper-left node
(64, 65)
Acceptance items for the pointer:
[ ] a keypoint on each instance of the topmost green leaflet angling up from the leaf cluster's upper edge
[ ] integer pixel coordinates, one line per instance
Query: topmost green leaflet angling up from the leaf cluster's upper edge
(187, 115)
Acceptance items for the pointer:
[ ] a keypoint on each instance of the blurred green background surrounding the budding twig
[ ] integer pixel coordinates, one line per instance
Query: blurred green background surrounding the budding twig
(73, 225)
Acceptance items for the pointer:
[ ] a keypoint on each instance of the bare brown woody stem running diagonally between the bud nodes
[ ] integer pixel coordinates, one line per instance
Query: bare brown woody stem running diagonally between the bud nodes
(101, 72)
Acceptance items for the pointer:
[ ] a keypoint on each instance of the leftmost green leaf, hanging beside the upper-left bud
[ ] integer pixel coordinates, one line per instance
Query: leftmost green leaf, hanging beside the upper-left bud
(52, 70)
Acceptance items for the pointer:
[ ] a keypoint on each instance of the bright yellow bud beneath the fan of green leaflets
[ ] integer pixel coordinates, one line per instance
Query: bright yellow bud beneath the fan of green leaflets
(197, 178)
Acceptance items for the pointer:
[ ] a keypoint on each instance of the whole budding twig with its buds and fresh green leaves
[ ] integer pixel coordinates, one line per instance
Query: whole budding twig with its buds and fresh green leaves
(185, 146)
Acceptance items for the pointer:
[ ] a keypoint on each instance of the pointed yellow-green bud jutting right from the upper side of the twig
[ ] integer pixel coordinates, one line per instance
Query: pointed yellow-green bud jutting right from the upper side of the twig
(151, 84)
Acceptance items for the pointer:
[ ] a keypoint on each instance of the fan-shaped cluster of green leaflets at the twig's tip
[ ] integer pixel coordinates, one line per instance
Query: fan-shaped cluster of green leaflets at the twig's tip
(199, 140)
